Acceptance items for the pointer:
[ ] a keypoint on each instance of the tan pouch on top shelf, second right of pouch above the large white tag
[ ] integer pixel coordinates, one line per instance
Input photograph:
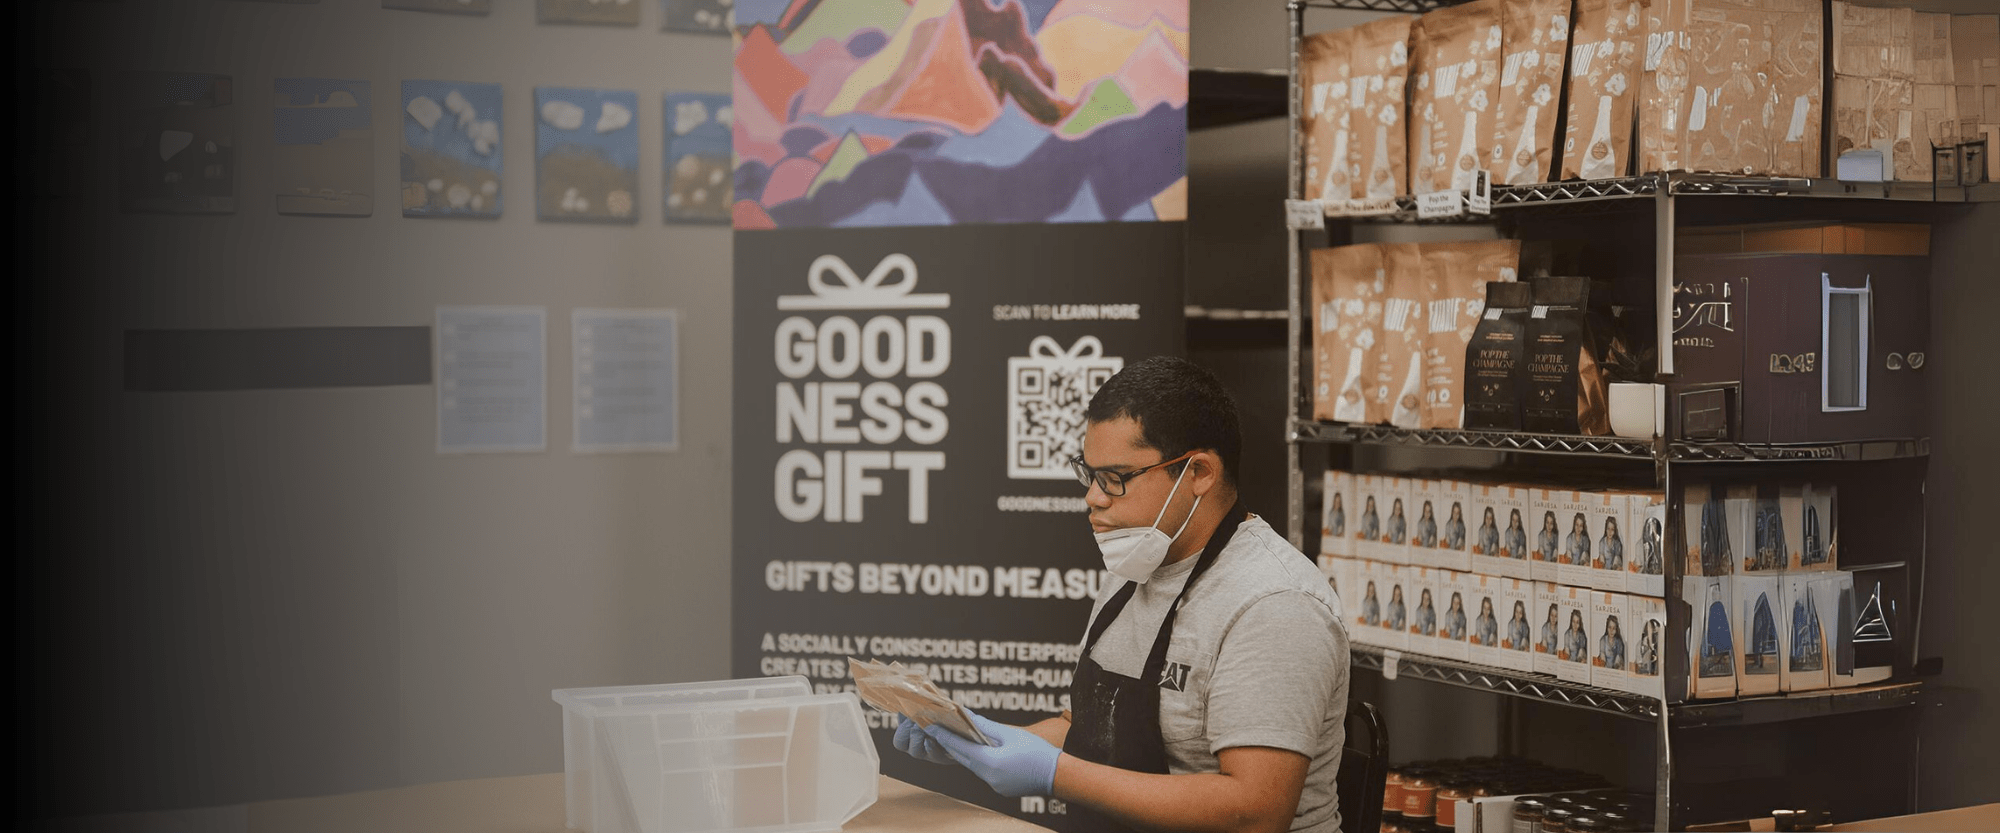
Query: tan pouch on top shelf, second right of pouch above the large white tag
(1605, 61)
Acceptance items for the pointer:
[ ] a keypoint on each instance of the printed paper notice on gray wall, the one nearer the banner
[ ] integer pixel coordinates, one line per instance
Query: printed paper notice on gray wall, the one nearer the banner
(627, 379)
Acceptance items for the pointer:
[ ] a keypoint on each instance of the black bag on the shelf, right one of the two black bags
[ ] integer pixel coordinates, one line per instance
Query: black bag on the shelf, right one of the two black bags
(1567, 385)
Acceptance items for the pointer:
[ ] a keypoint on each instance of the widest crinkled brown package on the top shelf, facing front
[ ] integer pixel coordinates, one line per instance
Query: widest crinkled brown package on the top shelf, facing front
(1755, 87)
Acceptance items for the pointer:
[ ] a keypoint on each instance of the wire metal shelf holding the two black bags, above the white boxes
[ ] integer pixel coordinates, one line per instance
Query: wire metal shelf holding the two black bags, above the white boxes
(1615, 448)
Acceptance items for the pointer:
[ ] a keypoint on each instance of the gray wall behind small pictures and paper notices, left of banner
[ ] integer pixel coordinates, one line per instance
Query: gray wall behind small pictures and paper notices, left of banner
(289, 592)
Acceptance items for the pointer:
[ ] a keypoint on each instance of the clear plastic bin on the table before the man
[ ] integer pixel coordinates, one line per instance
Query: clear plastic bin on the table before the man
(725, 756)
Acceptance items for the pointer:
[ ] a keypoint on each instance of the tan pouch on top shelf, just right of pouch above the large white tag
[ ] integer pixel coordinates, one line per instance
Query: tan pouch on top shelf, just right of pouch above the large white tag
(1535, 41)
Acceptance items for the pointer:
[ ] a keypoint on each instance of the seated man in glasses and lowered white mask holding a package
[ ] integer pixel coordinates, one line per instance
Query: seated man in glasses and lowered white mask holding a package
(1215, 676)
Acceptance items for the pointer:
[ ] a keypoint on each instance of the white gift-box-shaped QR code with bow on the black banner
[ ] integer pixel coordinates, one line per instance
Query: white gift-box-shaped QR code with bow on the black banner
(1049, 391)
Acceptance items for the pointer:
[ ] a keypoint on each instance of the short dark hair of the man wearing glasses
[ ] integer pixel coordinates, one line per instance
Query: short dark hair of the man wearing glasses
(1179, 407)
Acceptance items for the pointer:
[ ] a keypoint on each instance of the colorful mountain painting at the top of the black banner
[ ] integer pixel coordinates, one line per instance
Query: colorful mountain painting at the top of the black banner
(925, 113)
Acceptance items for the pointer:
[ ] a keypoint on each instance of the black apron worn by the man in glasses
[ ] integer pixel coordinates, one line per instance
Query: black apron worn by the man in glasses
(1117, 720)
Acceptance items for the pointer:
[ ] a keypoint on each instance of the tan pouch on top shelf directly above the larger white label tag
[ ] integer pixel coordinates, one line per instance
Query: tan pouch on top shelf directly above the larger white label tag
(1455, 81)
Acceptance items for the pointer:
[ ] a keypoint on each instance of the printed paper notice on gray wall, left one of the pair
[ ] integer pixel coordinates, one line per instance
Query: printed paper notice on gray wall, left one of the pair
(491, 379)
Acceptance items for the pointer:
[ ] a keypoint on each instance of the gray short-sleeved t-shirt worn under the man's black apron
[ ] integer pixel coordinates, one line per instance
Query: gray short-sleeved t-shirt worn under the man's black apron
(1259, 660)
